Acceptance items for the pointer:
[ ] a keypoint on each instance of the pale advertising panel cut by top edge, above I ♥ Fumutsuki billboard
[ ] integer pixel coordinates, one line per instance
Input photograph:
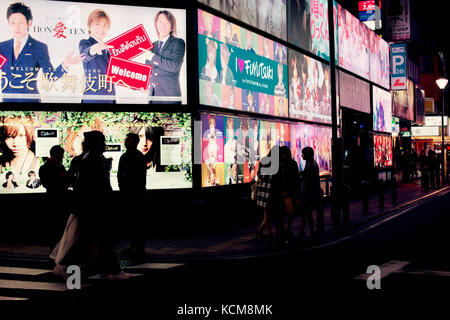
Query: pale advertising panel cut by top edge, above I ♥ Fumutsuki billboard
(266, 15)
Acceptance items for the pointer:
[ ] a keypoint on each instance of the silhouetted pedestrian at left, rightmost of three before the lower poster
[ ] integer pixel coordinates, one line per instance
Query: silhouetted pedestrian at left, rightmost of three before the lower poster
(132, 175)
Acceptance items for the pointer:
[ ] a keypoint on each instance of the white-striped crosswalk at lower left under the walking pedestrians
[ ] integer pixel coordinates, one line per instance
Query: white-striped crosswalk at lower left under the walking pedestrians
(25, 283)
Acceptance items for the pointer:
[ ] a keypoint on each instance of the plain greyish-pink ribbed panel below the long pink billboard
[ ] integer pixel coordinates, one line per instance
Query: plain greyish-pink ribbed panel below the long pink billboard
(354, 93)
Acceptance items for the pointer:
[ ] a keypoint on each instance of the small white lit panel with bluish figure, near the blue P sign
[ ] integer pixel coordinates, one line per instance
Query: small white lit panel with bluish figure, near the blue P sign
(382, 110)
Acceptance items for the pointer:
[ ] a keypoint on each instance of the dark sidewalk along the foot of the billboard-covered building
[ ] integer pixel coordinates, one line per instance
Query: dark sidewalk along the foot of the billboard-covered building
(242, 241)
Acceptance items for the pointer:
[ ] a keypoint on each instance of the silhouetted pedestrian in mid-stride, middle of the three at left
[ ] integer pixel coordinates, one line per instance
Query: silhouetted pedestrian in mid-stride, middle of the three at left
(94, 213)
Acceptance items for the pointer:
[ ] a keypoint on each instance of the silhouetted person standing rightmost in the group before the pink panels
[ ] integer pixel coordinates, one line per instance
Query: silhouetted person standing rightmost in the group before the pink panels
(309, 191)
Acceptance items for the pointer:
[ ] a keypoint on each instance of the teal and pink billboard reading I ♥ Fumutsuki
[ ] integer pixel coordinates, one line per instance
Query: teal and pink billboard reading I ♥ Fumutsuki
(239, 69)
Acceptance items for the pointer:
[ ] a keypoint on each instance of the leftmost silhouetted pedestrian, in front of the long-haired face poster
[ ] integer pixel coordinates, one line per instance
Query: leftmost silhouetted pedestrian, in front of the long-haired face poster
(53, 177)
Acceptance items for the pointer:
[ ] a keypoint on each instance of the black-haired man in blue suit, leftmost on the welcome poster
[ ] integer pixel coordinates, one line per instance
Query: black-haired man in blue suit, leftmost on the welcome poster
(26, 56)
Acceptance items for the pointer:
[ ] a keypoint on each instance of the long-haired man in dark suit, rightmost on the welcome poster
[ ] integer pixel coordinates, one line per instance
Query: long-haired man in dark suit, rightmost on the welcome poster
(166, 58)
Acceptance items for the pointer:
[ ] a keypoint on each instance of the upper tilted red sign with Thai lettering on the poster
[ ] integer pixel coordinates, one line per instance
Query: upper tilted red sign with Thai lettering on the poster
(128, 45)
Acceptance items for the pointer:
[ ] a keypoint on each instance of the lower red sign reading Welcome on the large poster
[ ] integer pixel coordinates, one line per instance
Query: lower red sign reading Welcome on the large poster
(129, 74)
